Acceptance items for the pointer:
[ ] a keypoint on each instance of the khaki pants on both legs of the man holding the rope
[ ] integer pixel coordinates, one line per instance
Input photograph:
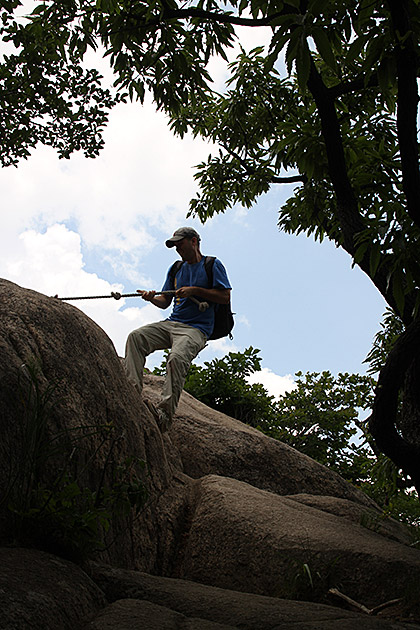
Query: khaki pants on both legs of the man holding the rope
(185, 343)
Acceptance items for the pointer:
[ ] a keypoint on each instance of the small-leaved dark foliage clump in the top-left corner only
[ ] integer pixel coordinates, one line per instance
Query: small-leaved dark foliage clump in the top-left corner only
(46, 96)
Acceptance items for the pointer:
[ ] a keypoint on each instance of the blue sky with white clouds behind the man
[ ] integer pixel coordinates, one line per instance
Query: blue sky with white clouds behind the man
(91, 226)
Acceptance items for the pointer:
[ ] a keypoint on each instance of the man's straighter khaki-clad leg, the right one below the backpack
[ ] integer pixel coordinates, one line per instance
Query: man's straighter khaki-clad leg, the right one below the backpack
(186, 344)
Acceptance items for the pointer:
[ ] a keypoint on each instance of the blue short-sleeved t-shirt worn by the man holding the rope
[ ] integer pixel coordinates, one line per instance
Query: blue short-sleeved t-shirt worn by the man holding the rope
(185, 310)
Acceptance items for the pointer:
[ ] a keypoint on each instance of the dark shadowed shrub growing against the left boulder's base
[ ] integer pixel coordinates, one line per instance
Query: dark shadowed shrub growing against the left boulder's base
(47, 503)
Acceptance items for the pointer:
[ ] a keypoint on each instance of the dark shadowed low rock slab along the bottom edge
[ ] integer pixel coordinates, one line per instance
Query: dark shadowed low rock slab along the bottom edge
(197, 604)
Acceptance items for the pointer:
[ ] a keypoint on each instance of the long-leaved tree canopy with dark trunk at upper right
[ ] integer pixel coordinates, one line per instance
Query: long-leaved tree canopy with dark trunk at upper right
(342, 123)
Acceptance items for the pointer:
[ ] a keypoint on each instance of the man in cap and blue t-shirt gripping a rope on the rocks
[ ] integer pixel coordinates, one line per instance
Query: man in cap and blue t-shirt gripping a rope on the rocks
(188, 327)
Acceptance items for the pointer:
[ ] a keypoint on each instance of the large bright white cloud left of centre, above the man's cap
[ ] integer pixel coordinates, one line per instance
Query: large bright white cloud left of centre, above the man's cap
(143, 177)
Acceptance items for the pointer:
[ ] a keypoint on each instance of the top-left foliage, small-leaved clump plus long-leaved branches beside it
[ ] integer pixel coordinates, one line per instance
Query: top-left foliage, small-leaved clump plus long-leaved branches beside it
(48, 96)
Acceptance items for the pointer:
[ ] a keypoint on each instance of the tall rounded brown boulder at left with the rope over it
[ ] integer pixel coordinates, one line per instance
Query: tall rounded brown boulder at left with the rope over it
(65, 403)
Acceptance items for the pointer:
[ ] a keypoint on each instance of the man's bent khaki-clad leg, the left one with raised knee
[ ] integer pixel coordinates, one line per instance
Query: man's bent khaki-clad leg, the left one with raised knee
(140, 343)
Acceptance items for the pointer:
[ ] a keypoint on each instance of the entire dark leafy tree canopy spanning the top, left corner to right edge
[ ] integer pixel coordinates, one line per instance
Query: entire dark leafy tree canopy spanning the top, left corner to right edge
(330, 105)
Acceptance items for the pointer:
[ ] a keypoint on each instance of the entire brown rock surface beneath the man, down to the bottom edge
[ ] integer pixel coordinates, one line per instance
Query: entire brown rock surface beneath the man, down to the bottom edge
(228, 507)
